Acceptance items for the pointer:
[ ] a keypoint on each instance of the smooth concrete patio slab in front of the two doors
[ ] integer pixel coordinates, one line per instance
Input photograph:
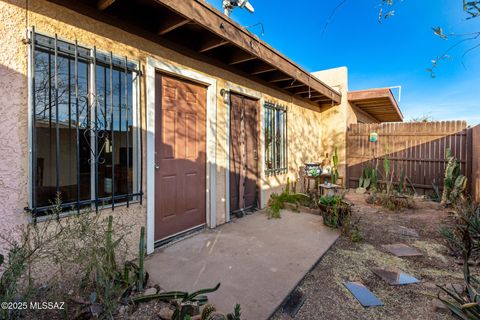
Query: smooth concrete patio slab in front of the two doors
(257, 261)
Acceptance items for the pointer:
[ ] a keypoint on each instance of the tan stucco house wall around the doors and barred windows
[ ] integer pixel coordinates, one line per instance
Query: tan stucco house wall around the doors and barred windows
(312, 132)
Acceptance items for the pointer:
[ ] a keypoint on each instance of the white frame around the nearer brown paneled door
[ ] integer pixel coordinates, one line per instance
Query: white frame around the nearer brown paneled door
(167, 67)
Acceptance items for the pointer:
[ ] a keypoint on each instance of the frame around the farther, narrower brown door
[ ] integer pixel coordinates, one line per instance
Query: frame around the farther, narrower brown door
(249, 93)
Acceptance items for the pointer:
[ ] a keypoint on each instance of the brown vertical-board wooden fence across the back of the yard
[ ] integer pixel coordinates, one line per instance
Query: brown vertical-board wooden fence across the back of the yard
(417, 149)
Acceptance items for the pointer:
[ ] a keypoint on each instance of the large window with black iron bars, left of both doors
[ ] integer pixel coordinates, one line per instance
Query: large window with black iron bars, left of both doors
(85, 138)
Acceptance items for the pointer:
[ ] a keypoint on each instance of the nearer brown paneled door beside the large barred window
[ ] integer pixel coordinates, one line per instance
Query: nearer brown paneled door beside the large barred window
(180, 155)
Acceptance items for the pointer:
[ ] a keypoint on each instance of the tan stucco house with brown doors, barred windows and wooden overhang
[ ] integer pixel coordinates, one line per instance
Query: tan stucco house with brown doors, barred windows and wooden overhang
(167, 112)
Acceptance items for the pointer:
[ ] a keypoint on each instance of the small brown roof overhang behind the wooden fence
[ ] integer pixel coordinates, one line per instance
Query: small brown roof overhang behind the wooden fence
(380, 104)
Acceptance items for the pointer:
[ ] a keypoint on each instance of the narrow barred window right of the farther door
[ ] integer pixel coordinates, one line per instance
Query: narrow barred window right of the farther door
(276, 157)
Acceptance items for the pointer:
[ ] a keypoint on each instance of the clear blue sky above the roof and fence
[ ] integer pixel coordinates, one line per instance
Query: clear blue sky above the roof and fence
(396, 52)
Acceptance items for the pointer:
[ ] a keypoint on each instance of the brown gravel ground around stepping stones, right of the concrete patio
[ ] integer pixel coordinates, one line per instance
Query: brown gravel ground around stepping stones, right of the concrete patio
(327, 298)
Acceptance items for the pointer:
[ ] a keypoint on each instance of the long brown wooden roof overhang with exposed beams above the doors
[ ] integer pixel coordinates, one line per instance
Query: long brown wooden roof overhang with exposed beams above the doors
(197, 29)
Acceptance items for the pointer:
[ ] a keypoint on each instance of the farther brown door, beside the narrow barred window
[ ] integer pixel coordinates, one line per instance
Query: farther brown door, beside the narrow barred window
(243, 153)
